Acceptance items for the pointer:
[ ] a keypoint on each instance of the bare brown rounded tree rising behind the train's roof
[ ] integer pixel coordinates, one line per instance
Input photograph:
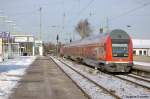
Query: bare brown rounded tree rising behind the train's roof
(83, 28)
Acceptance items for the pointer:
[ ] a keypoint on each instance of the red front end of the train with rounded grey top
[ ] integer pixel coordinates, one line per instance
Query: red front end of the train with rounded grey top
(119, 56)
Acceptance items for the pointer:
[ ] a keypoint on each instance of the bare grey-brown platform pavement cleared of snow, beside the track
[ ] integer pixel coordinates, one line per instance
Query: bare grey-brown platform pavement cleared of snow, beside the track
(45, 80)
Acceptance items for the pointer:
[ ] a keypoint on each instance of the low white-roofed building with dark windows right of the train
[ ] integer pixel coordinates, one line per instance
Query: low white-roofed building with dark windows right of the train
(141, 47)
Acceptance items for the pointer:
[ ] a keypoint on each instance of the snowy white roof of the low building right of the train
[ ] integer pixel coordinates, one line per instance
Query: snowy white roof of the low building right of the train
(141, 43)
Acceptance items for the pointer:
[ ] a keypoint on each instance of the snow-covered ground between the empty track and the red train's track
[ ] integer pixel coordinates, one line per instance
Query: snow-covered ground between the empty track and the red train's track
(122, 88)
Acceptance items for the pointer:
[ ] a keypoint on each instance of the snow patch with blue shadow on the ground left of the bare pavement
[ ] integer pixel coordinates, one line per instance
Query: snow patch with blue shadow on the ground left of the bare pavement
(11, 72)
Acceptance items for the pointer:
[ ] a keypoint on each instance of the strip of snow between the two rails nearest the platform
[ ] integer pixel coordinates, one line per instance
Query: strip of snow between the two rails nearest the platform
(93, 91)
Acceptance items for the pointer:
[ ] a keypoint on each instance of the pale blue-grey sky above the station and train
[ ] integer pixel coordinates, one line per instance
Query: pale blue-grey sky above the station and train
(120, 13)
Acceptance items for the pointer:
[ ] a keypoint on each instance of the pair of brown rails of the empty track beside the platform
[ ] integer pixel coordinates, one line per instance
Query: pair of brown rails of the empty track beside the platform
(110, 92)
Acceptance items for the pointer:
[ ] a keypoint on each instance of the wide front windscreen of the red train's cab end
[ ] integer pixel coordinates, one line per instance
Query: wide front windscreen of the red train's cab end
(120, 50)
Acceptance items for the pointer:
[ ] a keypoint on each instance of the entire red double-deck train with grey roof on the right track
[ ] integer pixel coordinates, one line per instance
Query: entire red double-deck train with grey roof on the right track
(112, 52)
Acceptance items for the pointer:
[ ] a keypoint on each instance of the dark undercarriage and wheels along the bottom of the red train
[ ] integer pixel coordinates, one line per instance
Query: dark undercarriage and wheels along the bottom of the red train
(104, 66)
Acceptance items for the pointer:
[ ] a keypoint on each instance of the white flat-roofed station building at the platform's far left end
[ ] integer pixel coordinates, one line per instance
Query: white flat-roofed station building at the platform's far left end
(28, 46)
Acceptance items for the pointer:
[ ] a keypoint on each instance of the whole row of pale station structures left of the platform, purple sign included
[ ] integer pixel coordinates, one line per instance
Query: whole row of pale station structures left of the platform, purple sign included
(12, 46)
